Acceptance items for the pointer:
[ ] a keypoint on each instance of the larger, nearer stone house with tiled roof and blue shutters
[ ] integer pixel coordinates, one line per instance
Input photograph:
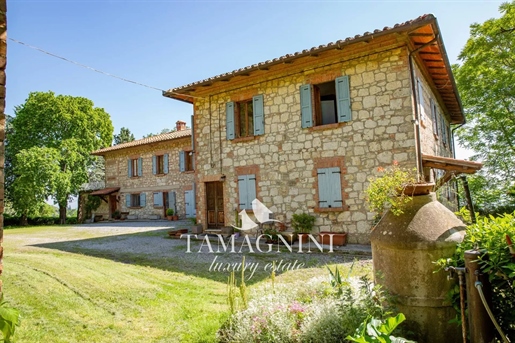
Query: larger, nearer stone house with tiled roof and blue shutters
(304, 132)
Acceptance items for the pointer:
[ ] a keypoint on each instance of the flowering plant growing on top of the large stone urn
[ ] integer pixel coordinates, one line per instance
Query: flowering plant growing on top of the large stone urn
(386, 191)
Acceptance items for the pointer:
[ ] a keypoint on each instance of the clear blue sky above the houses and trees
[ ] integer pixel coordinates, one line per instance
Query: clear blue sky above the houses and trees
(171, 43)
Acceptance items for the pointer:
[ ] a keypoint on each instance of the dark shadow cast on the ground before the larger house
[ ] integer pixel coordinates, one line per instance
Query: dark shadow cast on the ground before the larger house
(154, 249)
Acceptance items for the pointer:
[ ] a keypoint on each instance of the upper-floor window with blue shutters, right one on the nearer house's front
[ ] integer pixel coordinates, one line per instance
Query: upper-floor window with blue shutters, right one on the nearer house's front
(325, 103)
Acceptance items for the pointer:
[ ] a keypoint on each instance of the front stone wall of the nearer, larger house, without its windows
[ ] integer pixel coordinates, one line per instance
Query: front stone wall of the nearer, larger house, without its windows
(287, 156)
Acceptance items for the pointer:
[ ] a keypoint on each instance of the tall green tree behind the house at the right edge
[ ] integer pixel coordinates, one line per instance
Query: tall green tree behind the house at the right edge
(486, 81)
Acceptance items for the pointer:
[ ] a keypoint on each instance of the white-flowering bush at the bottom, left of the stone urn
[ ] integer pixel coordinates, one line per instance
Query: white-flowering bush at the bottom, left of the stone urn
(305, 312)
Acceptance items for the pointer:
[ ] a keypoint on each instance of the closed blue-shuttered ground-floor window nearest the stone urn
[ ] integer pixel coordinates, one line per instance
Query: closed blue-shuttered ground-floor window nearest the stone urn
(329, 188)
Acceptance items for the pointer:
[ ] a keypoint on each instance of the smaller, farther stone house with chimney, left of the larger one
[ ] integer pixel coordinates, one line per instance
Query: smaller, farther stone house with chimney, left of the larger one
(145, 177)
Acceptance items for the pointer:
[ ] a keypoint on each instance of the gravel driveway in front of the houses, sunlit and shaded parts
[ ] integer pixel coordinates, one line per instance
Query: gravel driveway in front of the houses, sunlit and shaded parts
(147, 243)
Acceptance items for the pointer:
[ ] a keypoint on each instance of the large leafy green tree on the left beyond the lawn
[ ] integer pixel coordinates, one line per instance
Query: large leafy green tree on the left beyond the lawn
(66, 128)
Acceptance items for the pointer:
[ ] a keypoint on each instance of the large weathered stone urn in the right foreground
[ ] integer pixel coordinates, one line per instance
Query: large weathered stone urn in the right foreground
(403, 249)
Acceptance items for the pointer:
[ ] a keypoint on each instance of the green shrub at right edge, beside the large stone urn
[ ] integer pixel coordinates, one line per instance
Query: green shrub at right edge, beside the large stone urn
(488, 235)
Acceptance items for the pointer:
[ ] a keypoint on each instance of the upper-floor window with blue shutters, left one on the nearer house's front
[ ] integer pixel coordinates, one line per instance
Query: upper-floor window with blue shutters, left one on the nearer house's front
(245, 118)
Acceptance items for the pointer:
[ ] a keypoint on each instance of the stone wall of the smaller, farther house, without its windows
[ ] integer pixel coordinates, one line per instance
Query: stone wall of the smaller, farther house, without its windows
(117, 176)
